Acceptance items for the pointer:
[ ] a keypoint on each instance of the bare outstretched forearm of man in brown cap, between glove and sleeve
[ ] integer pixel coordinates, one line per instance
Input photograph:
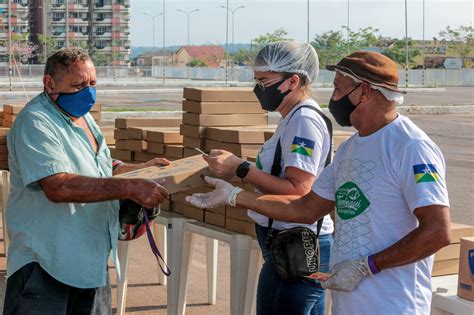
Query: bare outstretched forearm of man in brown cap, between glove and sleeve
(299, 209)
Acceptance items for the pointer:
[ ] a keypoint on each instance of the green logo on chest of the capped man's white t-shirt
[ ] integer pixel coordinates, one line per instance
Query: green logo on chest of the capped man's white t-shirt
(350, 201)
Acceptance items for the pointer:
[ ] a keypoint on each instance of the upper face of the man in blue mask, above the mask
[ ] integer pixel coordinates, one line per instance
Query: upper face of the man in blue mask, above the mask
(78, 76)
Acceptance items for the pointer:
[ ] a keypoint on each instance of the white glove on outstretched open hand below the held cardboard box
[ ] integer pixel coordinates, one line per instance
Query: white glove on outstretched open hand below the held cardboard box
(224, 194)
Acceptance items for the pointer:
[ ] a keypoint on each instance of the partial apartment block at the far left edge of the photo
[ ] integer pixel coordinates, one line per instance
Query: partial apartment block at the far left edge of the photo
(17, 17)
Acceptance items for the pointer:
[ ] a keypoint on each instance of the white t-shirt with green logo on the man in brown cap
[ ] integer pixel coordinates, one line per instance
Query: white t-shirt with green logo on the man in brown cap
(377, 182)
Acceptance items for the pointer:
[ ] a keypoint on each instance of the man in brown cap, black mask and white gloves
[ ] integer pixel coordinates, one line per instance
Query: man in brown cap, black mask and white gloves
(388, 186)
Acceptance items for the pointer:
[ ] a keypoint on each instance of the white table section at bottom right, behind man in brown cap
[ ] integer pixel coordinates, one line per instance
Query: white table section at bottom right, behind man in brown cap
(445, 300)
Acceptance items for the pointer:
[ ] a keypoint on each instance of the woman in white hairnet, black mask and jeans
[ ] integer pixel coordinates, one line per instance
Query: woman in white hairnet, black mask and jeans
(283, 72)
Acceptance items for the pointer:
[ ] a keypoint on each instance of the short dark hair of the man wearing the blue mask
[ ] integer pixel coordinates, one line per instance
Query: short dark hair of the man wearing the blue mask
(59, 61)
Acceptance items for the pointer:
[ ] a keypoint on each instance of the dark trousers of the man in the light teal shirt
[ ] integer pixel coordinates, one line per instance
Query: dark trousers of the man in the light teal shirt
(31, 290)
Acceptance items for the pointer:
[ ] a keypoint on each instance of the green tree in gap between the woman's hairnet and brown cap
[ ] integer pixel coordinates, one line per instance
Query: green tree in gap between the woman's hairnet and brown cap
(330, 46)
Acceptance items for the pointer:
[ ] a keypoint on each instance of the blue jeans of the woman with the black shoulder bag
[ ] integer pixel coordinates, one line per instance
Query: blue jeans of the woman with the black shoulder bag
(276, 296)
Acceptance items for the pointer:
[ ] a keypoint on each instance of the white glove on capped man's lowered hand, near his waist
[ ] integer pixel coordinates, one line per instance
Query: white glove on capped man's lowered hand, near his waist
(347, 274)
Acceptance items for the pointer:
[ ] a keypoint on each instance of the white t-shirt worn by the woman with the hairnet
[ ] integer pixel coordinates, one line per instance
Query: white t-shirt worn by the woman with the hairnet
(305, 127)
